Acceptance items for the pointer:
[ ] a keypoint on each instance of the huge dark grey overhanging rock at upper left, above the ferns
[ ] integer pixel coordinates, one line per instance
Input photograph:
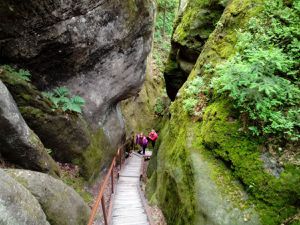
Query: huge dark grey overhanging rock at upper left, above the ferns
(96, 48)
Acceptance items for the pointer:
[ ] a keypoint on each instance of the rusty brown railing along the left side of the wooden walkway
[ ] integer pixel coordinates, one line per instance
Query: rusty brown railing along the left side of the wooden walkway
(103, 186)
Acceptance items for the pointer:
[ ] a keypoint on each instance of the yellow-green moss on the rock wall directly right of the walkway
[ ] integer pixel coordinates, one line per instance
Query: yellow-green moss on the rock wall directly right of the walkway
(175, 189)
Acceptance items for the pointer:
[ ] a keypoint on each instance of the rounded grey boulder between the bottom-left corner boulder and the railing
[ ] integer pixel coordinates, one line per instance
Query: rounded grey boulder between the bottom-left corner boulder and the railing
(61, 204)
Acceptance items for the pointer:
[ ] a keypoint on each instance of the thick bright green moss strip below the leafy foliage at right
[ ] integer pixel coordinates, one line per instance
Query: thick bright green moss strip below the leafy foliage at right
(275, 198)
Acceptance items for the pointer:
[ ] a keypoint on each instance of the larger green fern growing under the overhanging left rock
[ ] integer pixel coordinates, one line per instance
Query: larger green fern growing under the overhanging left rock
(60, 97)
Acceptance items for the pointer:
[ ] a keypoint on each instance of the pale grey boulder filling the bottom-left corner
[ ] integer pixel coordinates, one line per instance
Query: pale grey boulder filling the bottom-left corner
(17, 204)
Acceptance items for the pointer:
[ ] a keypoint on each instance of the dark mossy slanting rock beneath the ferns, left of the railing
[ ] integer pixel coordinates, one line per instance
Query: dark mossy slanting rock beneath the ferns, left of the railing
(68, 135)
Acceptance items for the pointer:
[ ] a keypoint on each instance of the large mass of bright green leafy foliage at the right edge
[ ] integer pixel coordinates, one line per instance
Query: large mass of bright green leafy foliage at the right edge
(263, 77)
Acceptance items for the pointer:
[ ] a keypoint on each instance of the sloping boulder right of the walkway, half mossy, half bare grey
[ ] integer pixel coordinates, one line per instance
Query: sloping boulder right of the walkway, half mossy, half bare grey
(191, 186)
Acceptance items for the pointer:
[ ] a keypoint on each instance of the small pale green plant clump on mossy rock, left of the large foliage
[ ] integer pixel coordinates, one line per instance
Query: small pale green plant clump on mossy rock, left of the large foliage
(192, 90)
